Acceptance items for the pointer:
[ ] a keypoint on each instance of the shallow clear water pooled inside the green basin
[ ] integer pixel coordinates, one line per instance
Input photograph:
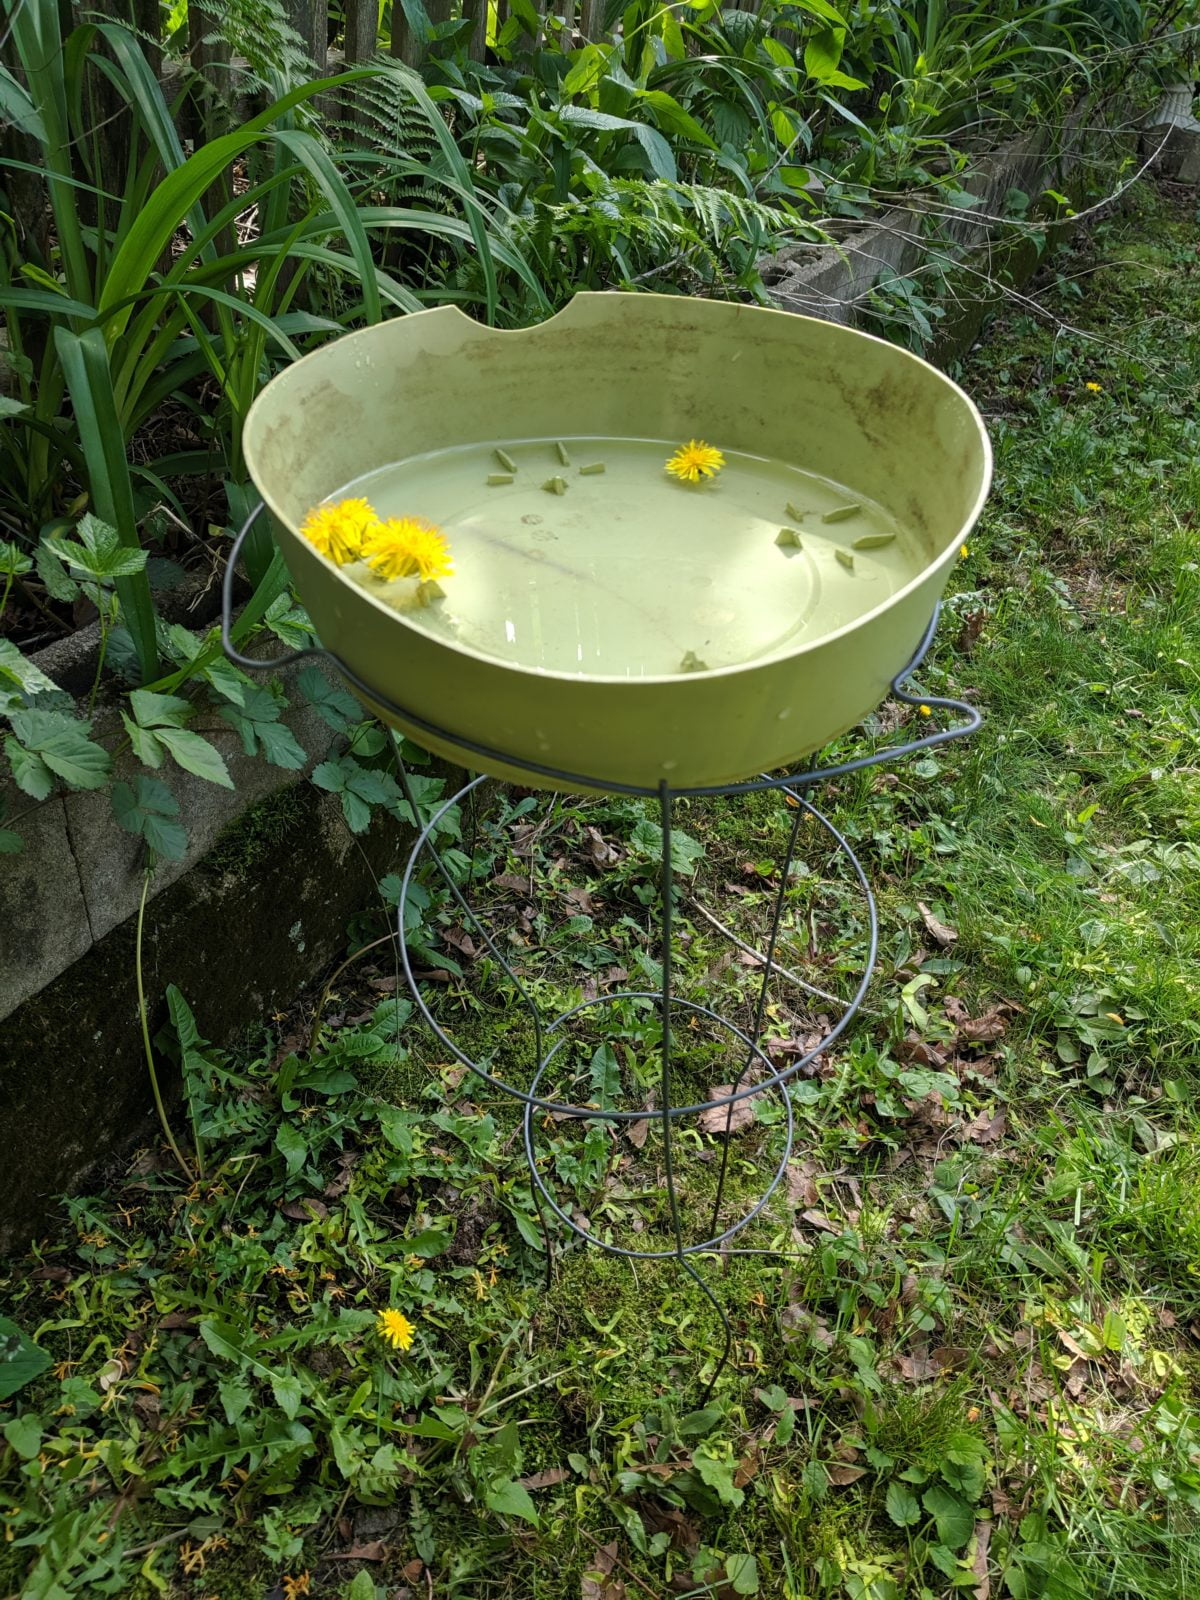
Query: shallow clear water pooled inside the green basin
(628, 572)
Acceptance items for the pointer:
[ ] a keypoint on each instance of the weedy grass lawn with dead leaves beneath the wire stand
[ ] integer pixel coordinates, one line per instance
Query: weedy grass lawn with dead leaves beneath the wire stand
(966, 1358)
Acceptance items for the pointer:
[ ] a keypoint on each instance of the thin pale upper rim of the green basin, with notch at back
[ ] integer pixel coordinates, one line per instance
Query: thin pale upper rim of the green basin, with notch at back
(610, 679)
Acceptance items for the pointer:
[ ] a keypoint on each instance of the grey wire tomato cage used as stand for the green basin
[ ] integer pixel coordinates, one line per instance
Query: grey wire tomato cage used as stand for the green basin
(655, 1073)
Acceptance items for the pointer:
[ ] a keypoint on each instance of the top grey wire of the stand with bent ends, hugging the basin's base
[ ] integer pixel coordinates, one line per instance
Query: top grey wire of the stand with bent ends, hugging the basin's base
(470, 748)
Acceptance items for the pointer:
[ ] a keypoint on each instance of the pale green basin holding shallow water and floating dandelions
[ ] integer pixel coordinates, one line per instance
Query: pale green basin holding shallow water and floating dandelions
(710, 649)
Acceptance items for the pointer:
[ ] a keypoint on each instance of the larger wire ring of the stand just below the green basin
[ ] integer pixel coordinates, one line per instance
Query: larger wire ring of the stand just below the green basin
(775, 1079)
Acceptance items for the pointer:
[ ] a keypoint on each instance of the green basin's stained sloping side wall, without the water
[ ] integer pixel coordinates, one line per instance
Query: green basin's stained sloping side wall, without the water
(814, 394)
